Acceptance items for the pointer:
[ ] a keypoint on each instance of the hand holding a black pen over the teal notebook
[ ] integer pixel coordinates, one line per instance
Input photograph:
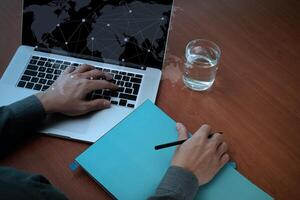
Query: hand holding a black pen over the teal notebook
(200, 154)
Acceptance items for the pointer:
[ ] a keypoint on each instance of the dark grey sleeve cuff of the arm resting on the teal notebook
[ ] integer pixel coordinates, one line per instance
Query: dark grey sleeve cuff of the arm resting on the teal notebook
(177, 184)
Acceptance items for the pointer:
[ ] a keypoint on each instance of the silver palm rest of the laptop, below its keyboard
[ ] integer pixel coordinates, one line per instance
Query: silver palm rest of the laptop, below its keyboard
(87, 128)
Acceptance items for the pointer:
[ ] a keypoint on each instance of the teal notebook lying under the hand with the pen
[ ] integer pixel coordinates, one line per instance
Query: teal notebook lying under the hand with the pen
(125, 163)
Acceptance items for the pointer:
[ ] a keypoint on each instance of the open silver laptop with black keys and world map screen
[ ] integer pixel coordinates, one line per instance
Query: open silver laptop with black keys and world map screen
(124, 38)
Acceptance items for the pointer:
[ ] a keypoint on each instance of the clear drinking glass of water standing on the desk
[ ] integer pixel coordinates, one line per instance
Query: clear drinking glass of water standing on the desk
(201, 65)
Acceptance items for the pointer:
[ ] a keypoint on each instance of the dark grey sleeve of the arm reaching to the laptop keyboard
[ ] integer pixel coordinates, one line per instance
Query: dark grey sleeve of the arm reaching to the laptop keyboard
(17, 120)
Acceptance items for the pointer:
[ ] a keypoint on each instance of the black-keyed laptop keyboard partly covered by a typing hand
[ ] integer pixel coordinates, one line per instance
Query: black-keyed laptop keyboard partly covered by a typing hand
(41, 73)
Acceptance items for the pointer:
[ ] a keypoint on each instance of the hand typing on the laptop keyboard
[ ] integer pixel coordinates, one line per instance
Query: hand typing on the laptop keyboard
(68, 93)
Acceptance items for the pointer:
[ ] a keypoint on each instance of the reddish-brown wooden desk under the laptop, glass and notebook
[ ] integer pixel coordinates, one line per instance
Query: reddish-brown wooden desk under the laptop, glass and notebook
(255, 99)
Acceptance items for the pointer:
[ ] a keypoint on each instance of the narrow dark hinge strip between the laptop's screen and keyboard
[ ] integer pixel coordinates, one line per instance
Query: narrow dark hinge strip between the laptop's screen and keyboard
(64, 53)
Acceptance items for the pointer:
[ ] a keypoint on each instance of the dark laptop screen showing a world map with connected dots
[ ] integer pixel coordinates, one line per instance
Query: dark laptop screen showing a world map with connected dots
(128, 32)
